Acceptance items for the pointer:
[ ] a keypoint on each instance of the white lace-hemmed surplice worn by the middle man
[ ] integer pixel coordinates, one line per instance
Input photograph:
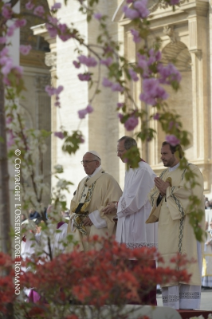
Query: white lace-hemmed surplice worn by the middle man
(134, 209)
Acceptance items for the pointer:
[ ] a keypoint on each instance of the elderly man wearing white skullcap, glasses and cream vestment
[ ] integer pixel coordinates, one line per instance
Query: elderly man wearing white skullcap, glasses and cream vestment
(93, 194)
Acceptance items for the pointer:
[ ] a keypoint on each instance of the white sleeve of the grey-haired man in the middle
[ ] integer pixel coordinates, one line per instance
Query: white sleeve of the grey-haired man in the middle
(136, 195)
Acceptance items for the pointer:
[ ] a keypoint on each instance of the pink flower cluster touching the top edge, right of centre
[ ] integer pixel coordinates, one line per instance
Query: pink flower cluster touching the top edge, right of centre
(139, 10)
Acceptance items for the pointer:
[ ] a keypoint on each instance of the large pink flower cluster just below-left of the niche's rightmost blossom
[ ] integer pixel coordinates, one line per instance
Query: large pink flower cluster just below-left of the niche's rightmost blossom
(152, 91)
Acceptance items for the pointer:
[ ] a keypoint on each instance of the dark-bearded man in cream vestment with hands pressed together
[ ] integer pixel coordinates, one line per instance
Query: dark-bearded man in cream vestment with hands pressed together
(170, 199)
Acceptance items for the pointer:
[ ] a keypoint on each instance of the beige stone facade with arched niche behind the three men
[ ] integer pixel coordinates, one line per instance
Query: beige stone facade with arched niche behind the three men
(186, 36)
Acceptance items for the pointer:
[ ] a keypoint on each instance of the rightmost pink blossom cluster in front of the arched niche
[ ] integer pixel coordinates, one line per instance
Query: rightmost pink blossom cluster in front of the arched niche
(168, 74)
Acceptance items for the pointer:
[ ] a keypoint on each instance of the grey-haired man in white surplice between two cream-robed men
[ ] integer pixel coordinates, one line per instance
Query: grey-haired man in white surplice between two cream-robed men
(133, 208)
